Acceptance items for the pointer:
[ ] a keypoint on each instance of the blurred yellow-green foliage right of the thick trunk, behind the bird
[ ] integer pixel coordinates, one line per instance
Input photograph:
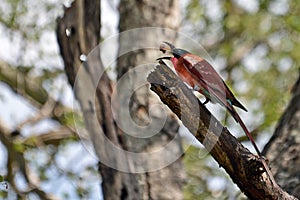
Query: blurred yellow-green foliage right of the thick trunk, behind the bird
(256, 43)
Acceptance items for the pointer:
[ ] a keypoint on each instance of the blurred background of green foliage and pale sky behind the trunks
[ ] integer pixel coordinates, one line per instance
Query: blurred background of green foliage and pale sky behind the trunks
(254, 45)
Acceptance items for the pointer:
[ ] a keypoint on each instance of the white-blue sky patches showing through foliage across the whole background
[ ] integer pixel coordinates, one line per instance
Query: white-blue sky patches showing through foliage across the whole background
(15, 109)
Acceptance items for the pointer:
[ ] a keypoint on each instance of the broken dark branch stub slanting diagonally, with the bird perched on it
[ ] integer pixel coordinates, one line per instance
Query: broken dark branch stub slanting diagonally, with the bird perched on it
(244, 168)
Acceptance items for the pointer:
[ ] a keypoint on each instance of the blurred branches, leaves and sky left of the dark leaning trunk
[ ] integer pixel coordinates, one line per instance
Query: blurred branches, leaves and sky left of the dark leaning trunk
(43, 149)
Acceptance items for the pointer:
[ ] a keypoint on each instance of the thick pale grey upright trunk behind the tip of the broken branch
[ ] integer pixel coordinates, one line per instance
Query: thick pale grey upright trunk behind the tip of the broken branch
(165, 183)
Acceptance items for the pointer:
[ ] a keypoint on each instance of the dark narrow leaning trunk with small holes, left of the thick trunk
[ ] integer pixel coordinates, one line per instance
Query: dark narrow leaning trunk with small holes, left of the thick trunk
(78, 32)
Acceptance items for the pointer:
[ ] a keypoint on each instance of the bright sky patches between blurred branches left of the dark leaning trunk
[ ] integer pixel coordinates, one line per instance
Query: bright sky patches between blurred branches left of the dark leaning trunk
(15, 109)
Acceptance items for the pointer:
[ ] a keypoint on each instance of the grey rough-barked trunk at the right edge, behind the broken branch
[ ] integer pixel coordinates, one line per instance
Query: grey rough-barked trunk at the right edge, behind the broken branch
(283, 149)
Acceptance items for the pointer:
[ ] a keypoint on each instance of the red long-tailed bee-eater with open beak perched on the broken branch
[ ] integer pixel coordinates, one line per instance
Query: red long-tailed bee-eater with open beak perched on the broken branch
(202, 77)
